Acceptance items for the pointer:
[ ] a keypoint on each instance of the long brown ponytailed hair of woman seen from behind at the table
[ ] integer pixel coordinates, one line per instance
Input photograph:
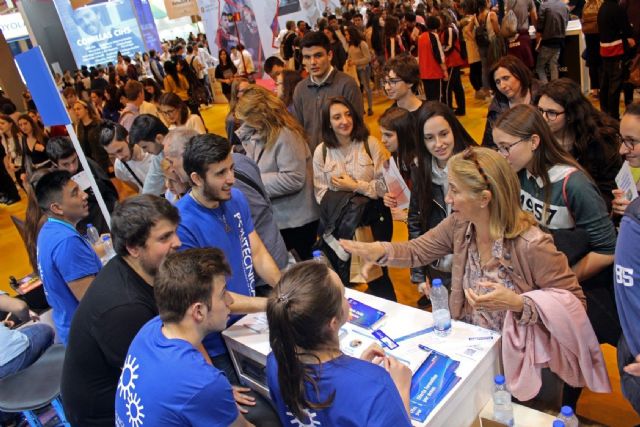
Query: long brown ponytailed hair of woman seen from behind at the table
(299, 311)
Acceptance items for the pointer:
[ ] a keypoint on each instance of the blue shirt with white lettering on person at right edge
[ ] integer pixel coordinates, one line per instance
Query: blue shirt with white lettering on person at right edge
(627, 275)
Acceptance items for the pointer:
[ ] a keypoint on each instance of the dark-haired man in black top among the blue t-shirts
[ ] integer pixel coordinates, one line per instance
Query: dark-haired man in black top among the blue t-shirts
(116, 306)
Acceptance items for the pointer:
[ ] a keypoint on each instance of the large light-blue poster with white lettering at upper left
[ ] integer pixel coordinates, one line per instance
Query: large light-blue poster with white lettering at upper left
(97, 32)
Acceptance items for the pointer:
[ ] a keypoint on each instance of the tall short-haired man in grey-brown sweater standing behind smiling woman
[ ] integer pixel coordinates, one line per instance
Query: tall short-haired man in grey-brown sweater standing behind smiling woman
(324, 81)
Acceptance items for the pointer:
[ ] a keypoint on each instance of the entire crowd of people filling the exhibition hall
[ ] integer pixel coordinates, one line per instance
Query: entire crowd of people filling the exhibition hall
(226, 225)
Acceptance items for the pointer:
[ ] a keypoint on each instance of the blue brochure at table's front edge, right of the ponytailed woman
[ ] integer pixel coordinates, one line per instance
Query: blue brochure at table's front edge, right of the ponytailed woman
(431, 383)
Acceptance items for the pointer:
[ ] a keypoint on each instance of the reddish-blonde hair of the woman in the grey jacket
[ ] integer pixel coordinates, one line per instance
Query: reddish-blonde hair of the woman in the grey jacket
(265, 112)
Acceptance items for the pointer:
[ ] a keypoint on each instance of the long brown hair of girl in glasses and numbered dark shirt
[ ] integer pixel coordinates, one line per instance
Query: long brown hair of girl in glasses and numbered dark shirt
(523, 121)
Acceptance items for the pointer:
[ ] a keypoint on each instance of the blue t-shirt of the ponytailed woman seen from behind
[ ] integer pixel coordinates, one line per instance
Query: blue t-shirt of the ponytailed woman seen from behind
(365, 396)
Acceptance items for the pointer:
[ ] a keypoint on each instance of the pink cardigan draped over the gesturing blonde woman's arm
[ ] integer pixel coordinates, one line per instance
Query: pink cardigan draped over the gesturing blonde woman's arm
(563, 341)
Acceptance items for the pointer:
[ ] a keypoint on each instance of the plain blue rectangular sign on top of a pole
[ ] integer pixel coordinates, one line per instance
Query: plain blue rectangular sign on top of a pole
(38, 78)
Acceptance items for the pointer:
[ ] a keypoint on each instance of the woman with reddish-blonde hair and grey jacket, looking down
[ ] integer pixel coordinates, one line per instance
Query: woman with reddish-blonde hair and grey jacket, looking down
(273, 139)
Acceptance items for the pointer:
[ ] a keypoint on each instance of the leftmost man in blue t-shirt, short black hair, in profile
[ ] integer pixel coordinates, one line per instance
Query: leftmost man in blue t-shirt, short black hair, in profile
(66, 261)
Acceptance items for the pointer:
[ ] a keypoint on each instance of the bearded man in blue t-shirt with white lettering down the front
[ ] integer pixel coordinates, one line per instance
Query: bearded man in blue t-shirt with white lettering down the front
(213, 214)
